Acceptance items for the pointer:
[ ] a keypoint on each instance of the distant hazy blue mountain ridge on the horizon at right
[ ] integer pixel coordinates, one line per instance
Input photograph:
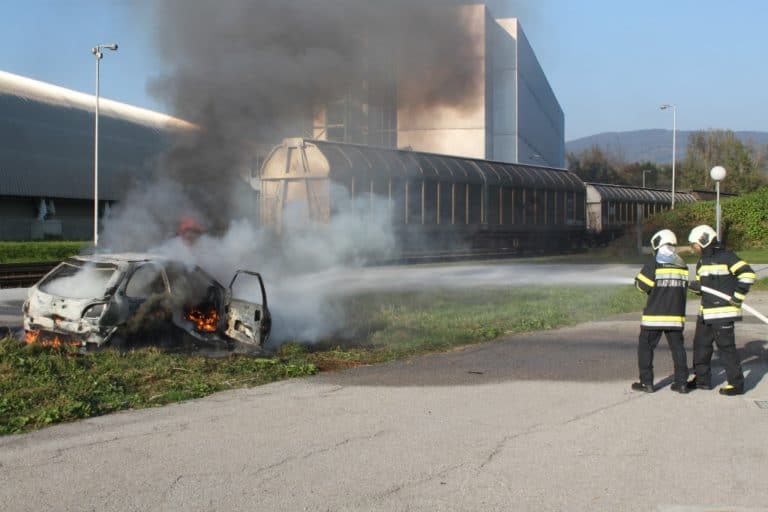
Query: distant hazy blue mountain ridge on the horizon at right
(648, 145)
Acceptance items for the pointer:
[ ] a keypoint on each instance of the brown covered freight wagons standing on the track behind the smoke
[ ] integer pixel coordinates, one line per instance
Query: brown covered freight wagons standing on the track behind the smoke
(447, 204)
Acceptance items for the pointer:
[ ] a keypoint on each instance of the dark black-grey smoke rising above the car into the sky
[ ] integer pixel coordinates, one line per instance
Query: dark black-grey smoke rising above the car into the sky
(250, 72)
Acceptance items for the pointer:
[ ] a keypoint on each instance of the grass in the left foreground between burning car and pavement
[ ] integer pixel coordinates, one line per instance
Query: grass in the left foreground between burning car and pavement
(40, 386)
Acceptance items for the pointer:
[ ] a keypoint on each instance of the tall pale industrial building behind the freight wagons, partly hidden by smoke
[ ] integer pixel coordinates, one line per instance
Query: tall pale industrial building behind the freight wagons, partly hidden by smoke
(515, 116)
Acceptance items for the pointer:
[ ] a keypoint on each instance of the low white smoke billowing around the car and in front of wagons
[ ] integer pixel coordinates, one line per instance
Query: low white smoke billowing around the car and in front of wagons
(295, 266)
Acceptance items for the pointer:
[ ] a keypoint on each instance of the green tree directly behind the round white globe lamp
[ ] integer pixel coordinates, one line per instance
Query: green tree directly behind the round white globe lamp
(707, 149)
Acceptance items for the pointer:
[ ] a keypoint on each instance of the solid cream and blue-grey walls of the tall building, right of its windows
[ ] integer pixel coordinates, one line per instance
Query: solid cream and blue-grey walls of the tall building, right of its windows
(515, 116)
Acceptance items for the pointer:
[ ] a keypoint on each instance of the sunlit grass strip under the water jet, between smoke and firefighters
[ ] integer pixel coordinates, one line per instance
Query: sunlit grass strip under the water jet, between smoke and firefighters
(392, 327)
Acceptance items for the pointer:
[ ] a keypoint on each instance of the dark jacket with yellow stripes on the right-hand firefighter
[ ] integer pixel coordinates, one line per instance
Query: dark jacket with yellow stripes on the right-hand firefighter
(725, 272)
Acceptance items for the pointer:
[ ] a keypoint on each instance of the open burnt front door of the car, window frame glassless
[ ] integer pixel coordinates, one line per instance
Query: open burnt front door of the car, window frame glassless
(248, 318)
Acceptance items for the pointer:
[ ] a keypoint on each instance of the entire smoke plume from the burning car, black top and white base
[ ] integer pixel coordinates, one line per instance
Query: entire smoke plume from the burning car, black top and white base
(249, 73)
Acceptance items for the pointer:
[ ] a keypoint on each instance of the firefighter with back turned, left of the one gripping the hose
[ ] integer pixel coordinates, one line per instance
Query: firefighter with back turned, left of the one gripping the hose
(665, 279)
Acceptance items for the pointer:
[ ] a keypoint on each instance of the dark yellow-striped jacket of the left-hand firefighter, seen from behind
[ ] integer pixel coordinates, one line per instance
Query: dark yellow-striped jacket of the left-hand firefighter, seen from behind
(666, 285)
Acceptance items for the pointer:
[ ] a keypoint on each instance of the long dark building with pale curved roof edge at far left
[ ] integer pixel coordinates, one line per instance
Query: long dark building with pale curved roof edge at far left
(47, 157)
